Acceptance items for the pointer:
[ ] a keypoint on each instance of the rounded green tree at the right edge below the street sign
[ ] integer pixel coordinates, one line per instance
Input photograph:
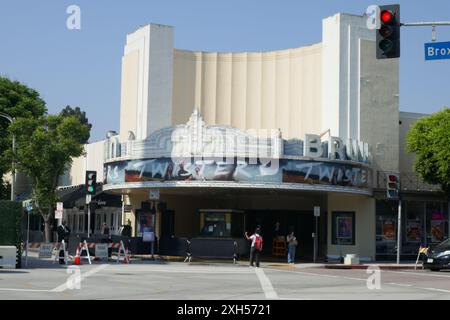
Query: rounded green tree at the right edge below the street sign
(429, 138)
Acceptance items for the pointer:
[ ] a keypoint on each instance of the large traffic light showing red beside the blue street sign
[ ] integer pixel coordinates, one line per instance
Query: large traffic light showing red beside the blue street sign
(388, 36)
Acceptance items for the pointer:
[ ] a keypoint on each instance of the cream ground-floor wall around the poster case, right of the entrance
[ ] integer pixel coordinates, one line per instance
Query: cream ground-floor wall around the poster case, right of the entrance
(364, 208)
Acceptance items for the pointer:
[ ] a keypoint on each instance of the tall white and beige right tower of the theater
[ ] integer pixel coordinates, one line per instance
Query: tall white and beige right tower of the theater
(360, 94)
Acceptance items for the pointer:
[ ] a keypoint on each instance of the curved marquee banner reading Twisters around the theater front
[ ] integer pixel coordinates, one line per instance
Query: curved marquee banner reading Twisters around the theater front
(286, 171)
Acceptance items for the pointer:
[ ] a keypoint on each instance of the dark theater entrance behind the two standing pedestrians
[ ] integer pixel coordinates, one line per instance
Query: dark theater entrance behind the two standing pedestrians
(275, 225)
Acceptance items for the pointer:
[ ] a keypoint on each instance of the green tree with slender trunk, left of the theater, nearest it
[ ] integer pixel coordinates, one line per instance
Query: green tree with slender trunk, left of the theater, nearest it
(45, 148)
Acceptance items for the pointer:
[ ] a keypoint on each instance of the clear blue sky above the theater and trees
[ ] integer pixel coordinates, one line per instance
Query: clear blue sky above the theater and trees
(82, 67)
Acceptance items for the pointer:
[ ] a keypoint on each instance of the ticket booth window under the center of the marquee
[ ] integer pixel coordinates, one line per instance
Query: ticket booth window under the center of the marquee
(221, 224)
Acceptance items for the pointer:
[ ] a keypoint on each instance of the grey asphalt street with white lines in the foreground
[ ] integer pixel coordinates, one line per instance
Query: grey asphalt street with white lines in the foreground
(218, 281)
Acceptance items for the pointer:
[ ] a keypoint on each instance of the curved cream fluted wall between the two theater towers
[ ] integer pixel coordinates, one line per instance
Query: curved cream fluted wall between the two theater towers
(251, 90)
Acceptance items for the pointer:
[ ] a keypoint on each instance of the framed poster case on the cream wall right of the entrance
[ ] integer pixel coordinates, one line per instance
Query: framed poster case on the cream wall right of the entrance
(343, 228)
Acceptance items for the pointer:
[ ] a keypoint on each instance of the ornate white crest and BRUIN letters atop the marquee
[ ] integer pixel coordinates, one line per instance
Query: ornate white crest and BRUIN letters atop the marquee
(199, 140)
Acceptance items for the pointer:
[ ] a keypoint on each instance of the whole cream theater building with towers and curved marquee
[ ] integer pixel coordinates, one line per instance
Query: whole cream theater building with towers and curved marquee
(228, 141)
